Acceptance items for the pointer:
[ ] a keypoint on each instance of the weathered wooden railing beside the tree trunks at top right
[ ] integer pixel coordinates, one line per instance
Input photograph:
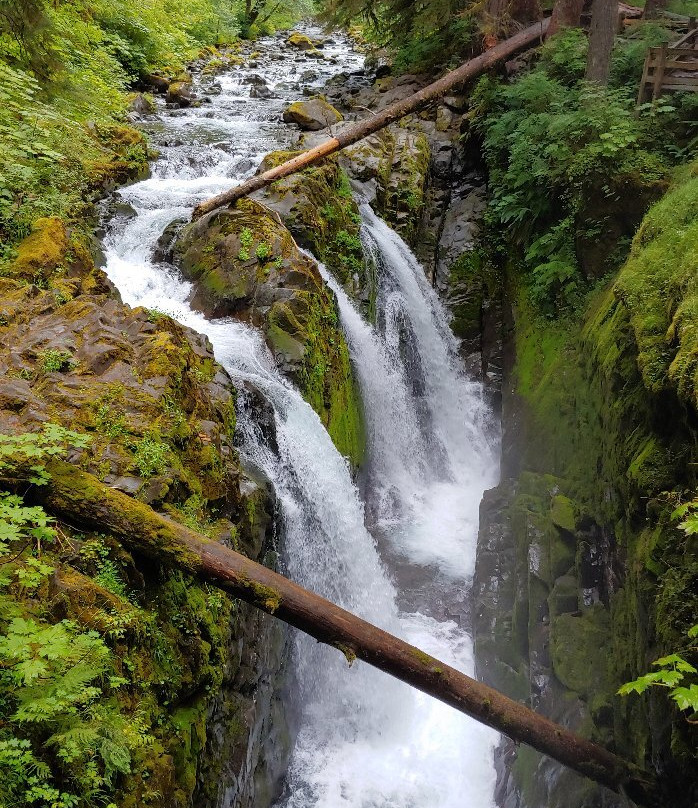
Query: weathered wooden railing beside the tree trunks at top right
(671, 67)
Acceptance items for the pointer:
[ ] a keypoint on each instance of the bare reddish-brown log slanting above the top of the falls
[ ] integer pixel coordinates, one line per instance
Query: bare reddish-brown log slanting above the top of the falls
(394, 112)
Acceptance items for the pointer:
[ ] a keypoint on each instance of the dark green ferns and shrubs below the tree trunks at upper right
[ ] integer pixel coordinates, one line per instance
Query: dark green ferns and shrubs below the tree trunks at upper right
(562, 157)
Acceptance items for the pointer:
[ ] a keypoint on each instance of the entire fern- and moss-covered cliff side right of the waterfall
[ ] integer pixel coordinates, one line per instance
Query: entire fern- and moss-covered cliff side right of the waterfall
(604, 386)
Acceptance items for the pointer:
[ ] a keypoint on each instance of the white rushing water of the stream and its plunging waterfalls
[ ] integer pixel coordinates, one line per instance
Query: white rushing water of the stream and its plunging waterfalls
(365, 740)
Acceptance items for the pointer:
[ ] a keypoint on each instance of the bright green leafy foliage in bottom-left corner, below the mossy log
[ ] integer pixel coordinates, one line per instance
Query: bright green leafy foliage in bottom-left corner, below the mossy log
(57, 682)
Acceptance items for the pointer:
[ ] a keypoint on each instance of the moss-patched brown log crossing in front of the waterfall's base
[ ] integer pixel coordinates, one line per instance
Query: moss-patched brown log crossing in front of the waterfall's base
(81, 498)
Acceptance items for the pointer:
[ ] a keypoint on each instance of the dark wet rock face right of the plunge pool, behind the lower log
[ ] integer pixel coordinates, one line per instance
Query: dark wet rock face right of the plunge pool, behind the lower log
(537, 639)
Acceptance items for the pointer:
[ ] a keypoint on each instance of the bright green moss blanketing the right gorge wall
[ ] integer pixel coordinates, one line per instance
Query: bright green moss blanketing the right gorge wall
(609, 407)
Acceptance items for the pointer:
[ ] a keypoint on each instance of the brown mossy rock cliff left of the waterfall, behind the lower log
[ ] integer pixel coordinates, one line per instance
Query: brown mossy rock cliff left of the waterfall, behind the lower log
(160, 415)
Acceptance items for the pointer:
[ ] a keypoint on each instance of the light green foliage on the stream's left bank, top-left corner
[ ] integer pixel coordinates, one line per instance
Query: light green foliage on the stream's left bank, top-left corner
(63, 71)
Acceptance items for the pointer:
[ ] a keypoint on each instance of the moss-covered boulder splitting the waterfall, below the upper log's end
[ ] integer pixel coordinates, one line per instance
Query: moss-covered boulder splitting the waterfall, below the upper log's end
(245, 263)
